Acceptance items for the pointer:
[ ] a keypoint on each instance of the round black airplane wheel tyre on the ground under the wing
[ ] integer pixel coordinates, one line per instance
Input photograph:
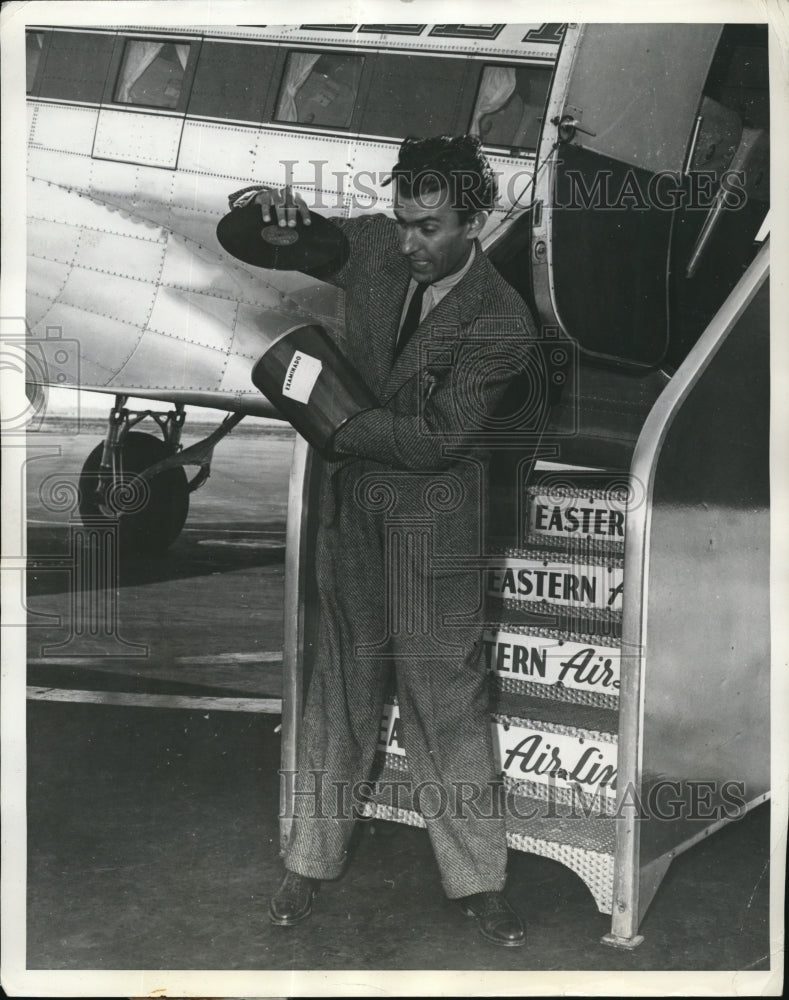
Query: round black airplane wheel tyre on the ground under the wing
(151, 515)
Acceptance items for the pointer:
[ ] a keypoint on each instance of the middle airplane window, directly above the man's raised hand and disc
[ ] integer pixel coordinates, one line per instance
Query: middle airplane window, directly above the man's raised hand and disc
(319, 89)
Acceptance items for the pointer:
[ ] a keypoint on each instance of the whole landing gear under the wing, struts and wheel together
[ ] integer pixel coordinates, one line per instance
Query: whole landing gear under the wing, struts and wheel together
(139, 480)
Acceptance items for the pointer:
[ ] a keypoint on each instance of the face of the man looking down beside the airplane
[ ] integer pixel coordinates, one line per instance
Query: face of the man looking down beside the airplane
(432, 236)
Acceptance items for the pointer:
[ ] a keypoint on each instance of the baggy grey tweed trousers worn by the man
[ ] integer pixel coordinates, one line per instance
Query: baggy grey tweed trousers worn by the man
(382, 608)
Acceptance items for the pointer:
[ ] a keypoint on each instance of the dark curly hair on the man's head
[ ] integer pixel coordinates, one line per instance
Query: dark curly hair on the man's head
(456, 165)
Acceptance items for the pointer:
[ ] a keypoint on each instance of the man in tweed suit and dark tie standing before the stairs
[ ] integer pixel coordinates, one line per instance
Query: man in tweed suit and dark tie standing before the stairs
(428, 321)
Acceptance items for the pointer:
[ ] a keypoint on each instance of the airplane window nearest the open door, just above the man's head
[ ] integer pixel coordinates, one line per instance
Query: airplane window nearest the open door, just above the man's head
(510, 105)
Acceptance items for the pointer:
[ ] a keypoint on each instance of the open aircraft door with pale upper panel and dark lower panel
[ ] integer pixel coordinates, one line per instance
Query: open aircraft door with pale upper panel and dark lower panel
(620, 123)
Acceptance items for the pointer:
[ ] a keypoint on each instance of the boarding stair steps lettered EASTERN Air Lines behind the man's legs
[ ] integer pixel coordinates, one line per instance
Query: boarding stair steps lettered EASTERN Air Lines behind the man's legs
(554, 611)
